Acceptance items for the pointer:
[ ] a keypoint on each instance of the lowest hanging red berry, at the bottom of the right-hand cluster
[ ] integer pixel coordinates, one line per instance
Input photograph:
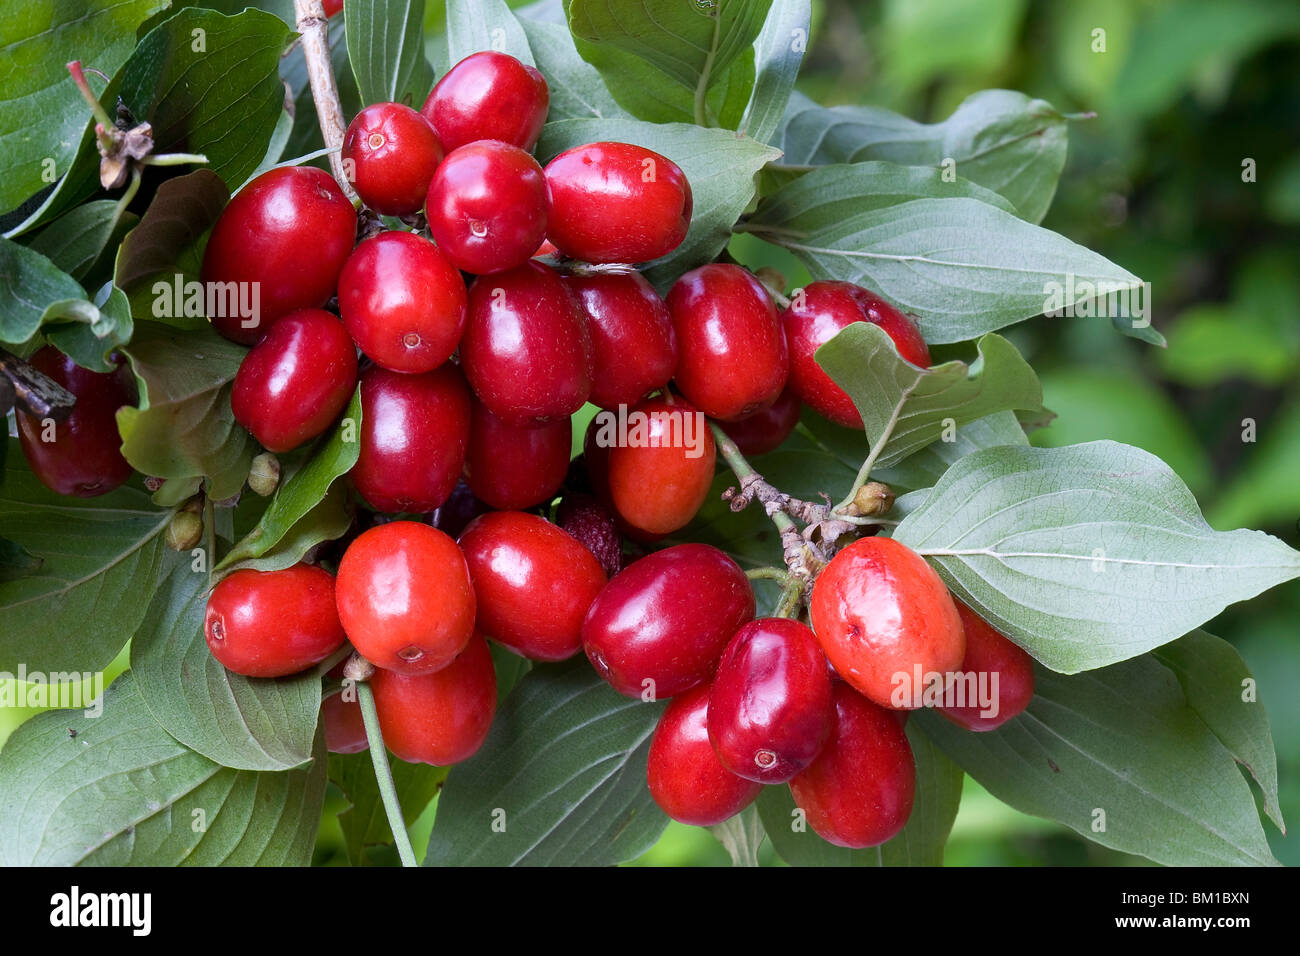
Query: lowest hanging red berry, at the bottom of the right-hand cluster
(860, 790)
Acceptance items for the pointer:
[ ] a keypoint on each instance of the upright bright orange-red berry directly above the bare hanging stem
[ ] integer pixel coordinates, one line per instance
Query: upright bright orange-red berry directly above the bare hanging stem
(405, 598)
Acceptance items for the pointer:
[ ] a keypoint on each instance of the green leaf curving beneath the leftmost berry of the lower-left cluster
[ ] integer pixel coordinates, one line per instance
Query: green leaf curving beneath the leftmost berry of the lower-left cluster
(235, 721)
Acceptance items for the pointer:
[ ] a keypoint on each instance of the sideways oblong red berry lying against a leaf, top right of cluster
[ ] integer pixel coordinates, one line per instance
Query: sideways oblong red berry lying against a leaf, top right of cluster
(617, 204)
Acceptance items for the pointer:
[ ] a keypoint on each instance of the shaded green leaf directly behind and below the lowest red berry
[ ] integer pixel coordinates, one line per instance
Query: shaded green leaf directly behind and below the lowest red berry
(939, 793)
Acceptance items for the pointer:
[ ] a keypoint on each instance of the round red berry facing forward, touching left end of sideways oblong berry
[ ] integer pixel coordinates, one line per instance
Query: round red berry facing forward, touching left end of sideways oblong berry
(487, 207)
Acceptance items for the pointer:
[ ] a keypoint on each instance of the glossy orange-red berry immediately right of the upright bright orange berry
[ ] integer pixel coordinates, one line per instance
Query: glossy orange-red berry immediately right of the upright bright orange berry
(534, 581)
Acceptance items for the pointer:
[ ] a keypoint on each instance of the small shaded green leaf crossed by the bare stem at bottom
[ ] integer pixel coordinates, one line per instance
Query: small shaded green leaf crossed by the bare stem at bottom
(366, 823)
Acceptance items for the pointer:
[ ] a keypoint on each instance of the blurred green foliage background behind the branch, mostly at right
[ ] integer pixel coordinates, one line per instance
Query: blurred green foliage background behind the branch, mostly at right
(1185, 93)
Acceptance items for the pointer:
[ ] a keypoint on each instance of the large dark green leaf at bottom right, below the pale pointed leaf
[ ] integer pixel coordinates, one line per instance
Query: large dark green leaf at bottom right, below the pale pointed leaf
(1123, 742)
